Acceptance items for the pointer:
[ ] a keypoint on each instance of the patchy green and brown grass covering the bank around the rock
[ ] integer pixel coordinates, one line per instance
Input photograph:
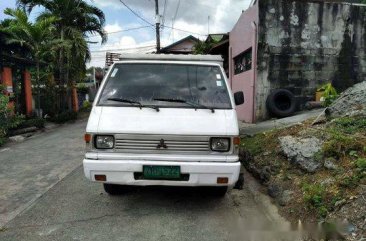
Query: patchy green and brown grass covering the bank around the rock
(344, 142)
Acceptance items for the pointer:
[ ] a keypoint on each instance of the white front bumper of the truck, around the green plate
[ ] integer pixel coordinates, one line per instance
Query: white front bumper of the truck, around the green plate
(200, 173)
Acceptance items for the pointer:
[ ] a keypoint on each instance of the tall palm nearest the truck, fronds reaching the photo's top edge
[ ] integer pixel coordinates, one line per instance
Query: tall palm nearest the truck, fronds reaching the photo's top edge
(73, 16)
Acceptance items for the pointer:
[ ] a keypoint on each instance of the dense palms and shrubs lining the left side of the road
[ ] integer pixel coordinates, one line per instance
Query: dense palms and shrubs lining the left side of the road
(55, 44)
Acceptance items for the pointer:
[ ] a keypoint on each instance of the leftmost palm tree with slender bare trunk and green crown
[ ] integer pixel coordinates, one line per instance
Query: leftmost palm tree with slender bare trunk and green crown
(36, 37)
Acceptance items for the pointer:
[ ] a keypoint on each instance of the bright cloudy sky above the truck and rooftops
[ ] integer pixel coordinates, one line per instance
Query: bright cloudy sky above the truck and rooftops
(128, 33)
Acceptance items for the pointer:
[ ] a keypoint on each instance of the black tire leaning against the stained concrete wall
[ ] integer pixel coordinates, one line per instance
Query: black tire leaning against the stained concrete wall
(281, 103)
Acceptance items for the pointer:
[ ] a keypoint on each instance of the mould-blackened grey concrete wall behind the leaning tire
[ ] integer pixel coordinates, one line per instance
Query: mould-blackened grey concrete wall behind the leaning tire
(305, 44)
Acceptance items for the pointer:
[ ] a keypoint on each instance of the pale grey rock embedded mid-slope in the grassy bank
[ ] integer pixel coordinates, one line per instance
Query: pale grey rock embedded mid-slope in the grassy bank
(301, 151)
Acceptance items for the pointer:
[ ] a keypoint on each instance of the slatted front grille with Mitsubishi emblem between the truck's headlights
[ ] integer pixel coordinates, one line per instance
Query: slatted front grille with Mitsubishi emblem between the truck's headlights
(150, 143)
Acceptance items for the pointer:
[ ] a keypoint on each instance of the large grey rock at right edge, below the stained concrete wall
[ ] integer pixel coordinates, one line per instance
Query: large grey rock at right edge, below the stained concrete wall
(351, 102)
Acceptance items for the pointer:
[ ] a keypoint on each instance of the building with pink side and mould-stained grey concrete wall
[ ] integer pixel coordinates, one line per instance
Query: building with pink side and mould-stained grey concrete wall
(280, 52)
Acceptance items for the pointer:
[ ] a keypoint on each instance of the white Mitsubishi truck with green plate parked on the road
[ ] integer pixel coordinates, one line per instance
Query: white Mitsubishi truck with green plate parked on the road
(164, 120)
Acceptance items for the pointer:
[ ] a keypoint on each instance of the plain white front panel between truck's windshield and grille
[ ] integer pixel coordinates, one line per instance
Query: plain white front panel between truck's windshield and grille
(168, 121)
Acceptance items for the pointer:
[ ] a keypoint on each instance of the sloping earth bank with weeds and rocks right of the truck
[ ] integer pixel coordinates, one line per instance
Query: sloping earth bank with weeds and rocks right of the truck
(336, 189)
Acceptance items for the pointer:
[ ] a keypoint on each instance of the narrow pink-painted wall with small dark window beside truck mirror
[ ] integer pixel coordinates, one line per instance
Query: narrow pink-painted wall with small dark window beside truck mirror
(243, 37)
